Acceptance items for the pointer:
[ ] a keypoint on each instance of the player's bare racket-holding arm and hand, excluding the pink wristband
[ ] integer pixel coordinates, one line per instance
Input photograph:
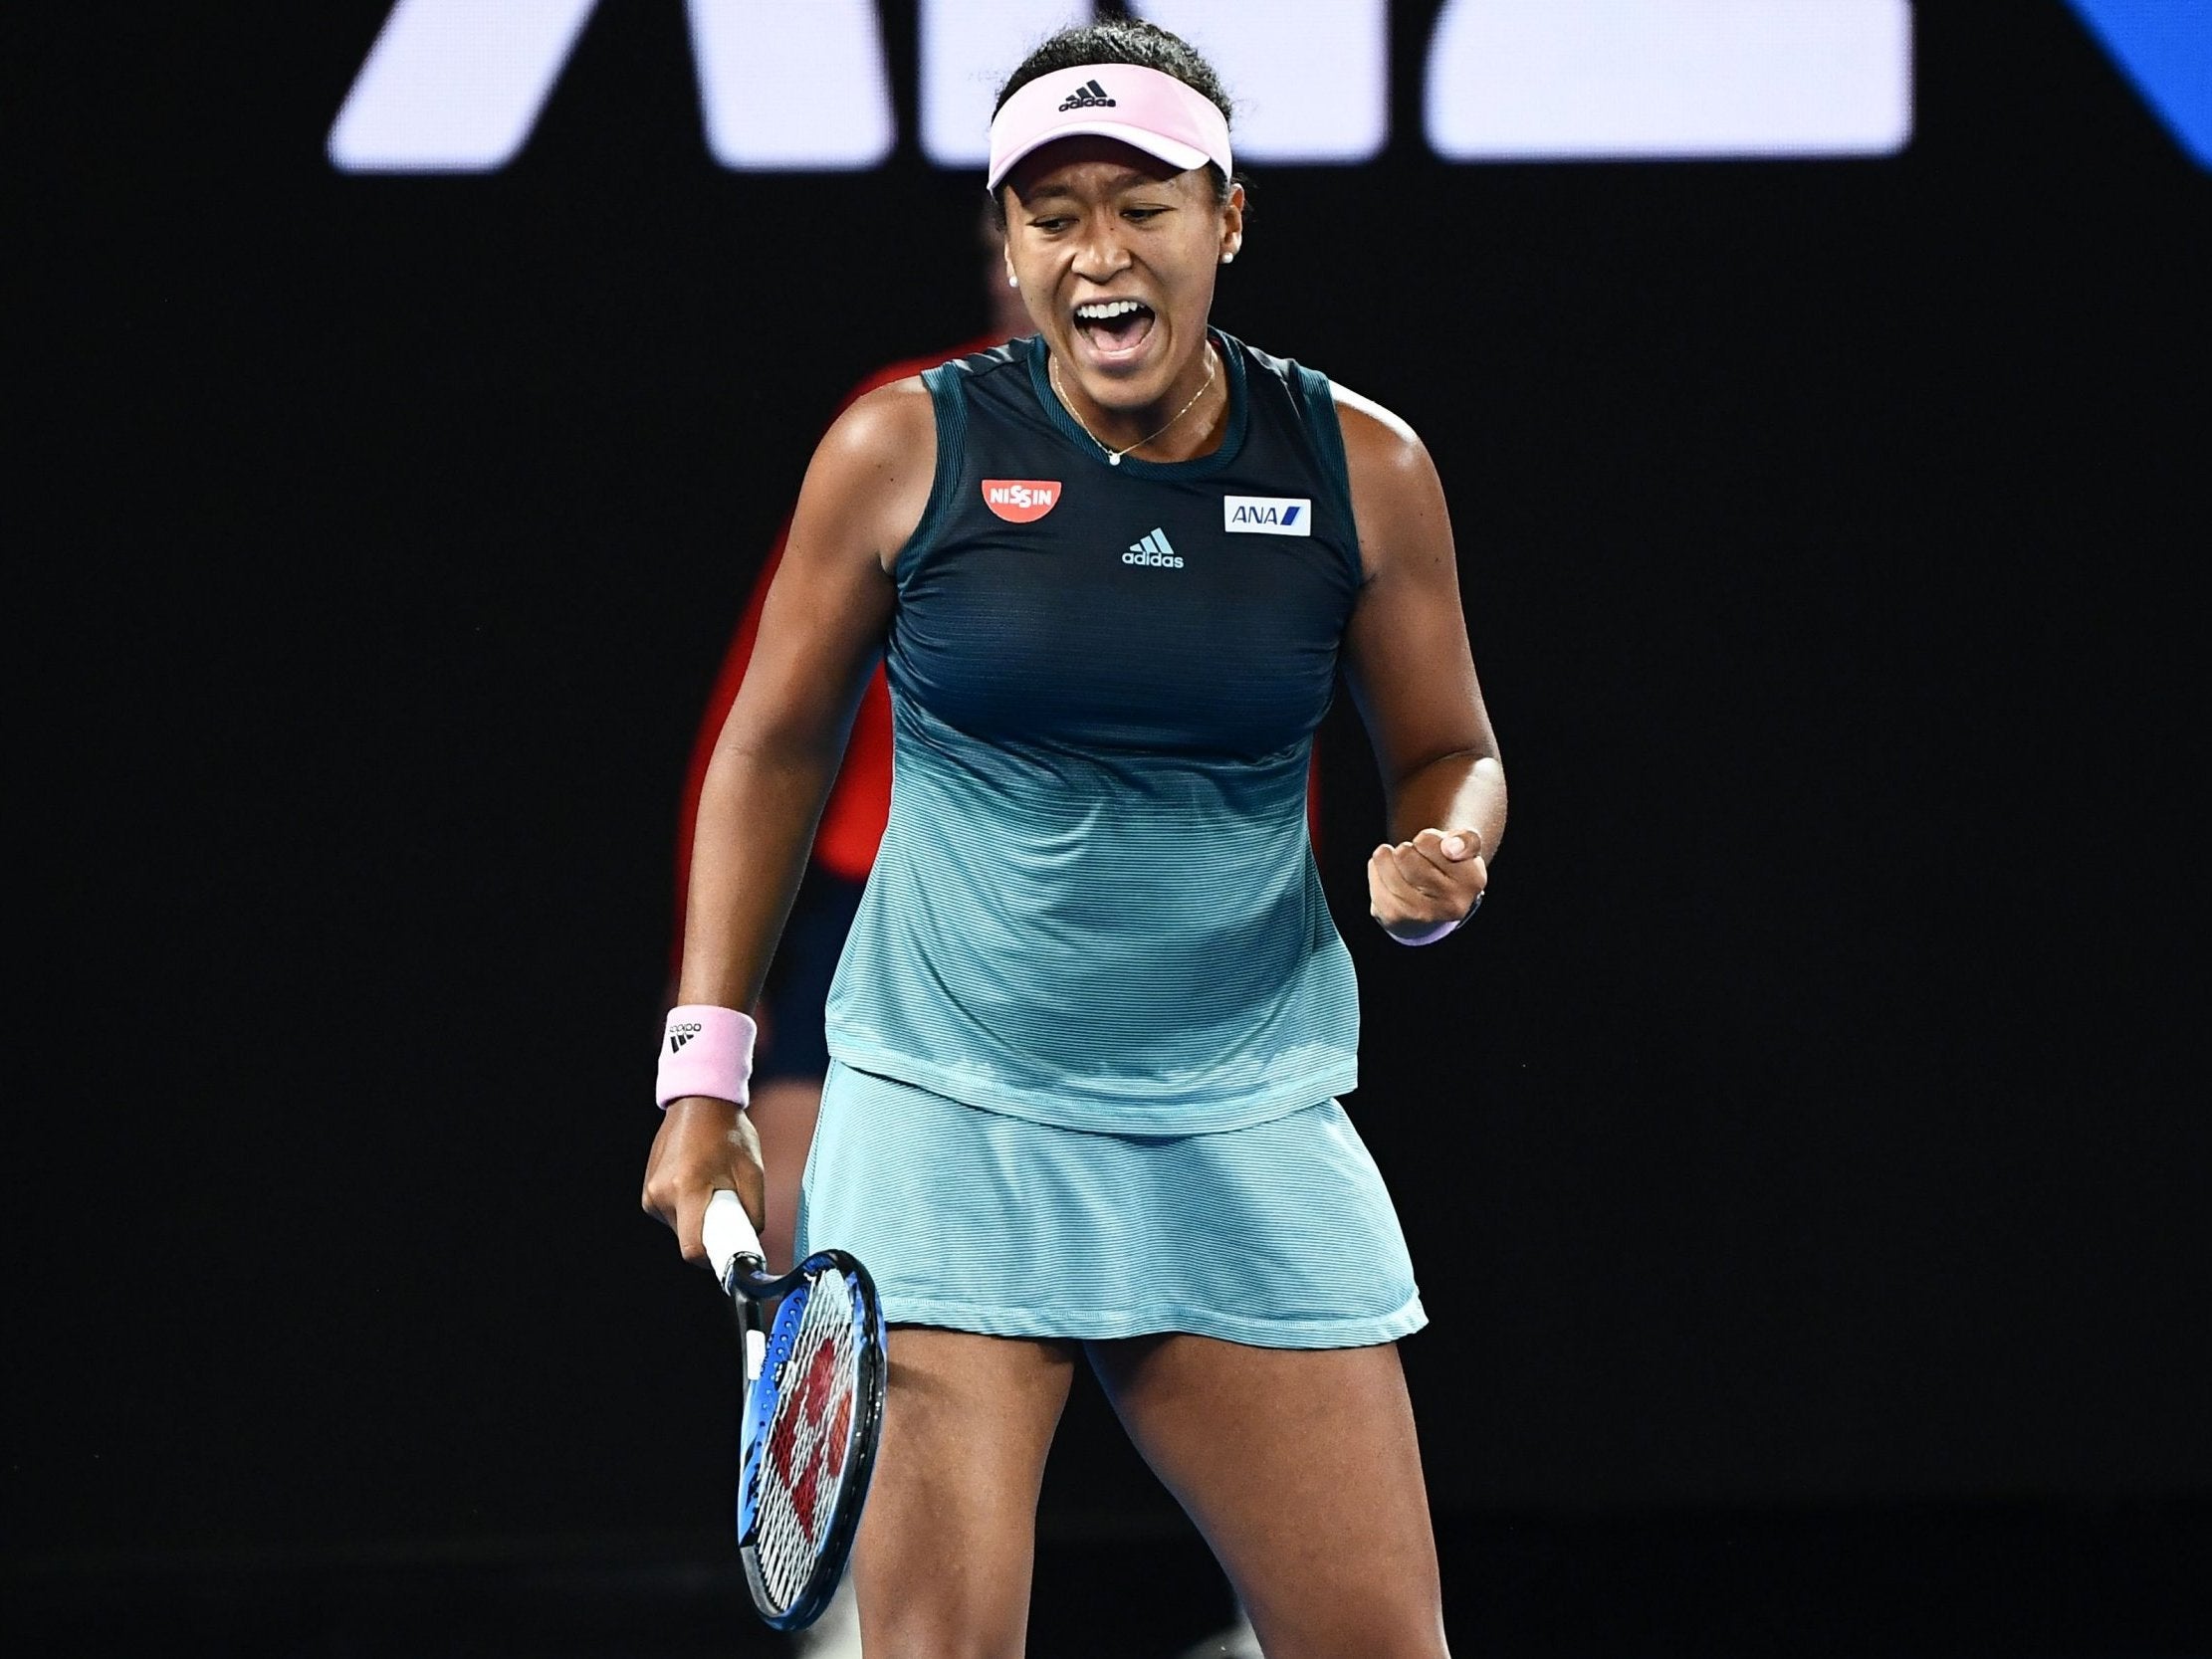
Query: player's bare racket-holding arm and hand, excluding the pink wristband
(778, 758)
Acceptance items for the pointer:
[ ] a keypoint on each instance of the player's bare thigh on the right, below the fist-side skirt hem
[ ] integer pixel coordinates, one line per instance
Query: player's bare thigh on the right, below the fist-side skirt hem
(1304, 1474)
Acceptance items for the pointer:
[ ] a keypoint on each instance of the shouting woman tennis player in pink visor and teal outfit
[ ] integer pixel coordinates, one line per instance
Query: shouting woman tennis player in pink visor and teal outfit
(1092, 1019)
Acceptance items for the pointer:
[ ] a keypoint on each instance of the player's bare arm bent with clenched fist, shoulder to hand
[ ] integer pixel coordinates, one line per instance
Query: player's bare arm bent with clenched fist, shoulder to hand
(1415, 682)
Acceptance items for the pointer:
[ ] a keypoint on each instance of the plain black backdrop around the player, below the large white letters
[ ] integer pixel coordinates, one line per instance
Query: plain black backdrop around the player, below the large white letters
(1806, 1147)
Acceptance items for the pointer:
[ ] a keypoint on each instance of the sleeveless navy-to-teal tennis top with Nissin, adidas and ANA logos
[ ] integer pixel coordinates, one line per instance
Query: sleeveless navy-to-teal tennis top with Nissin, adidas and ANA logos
(1096, 901)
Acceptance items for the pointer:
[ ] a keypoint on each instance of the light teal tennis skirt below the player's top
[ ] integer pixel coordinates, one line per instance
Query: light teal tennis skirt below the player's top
(1277, 1235)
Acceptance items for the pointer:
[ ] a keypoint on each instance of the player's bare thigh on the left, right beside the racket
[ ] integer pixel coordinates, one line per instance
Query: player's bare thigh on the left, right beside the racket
(948, 1538)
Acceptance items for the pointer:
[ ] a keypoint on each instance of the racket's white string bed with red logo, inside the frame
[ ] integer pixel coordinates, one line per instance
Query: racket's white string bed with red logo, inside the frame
(808, 1439)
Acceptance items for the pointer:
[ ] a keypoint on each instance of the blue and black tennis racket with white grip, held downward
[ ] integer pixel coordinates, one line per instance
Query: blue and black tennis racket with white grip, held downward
(811, 1421)
